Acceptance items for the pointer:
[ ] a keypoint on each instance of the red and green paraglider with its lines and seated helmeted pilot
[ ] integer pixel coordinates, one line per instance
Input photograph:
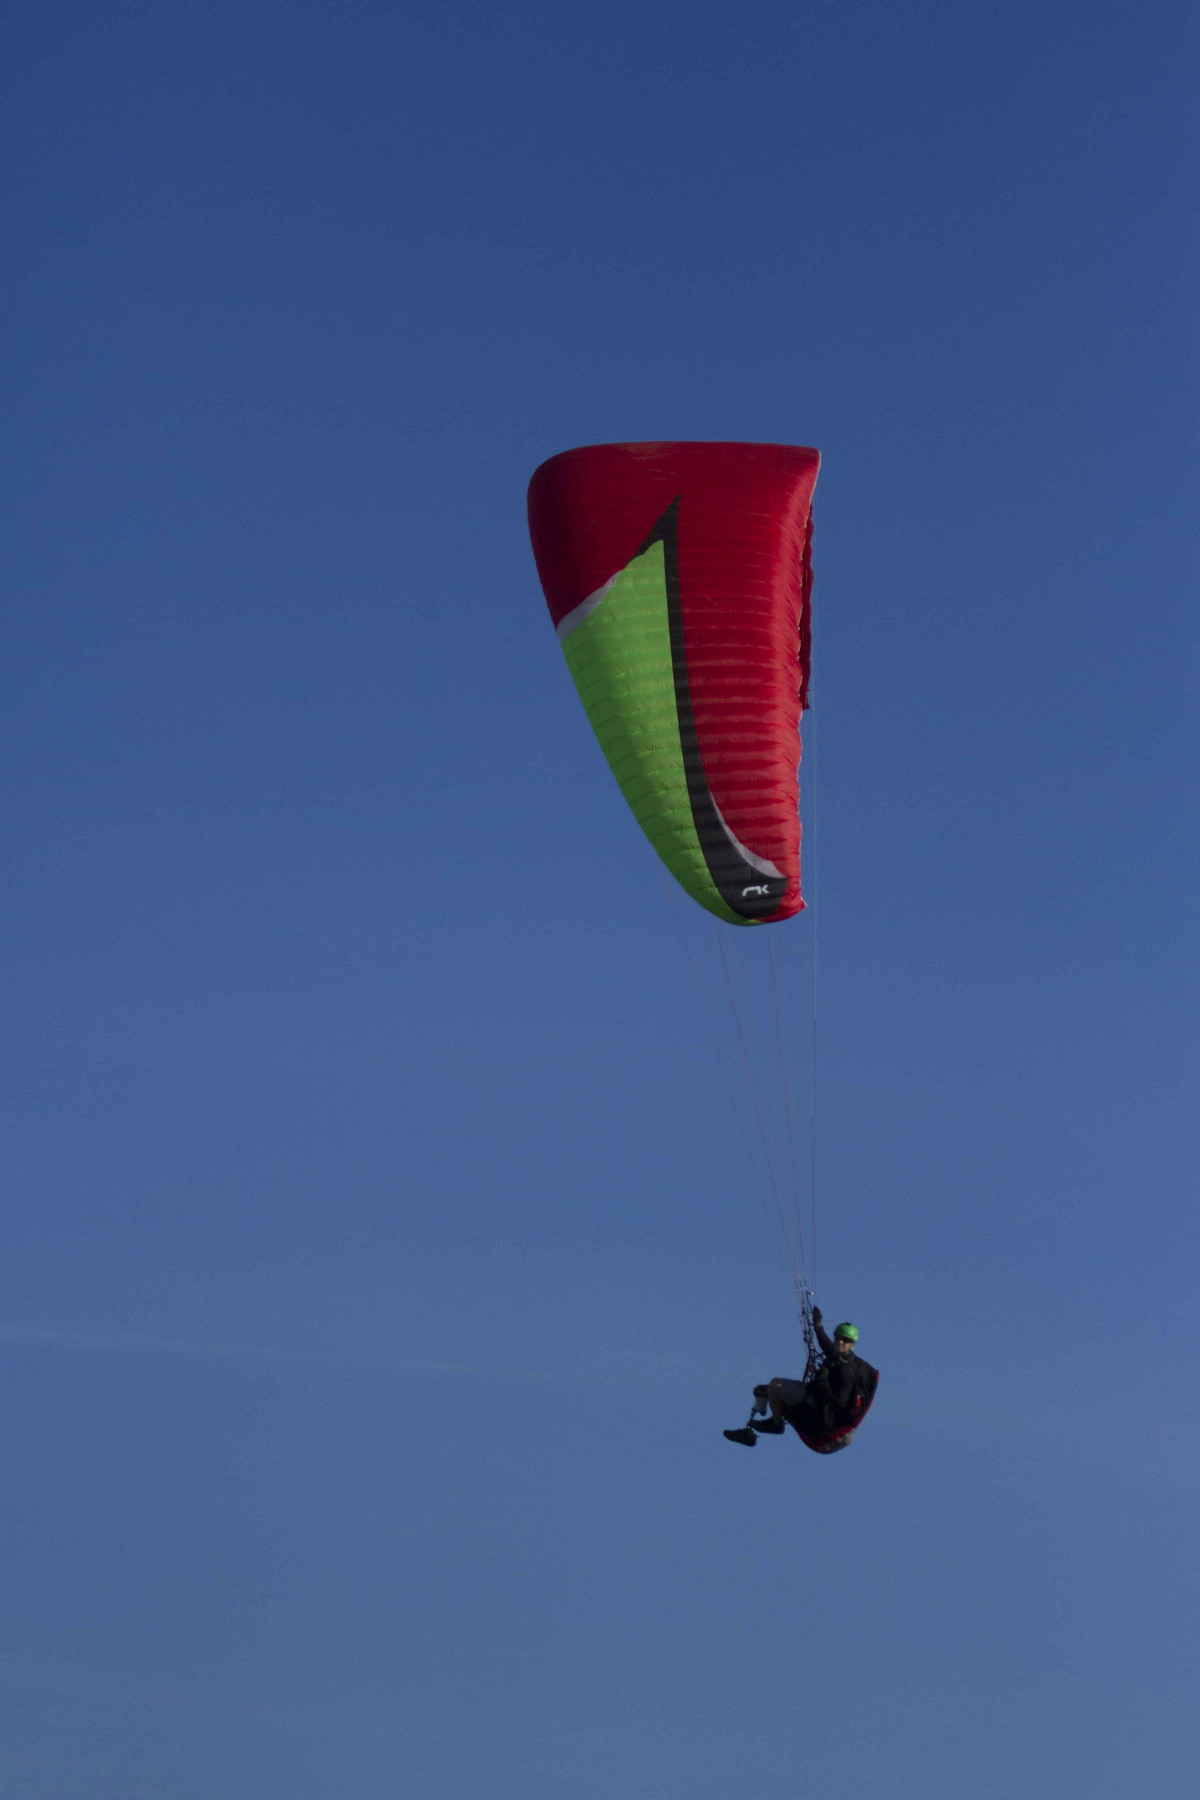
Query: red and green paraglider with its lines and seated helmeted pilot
(679, 582)
